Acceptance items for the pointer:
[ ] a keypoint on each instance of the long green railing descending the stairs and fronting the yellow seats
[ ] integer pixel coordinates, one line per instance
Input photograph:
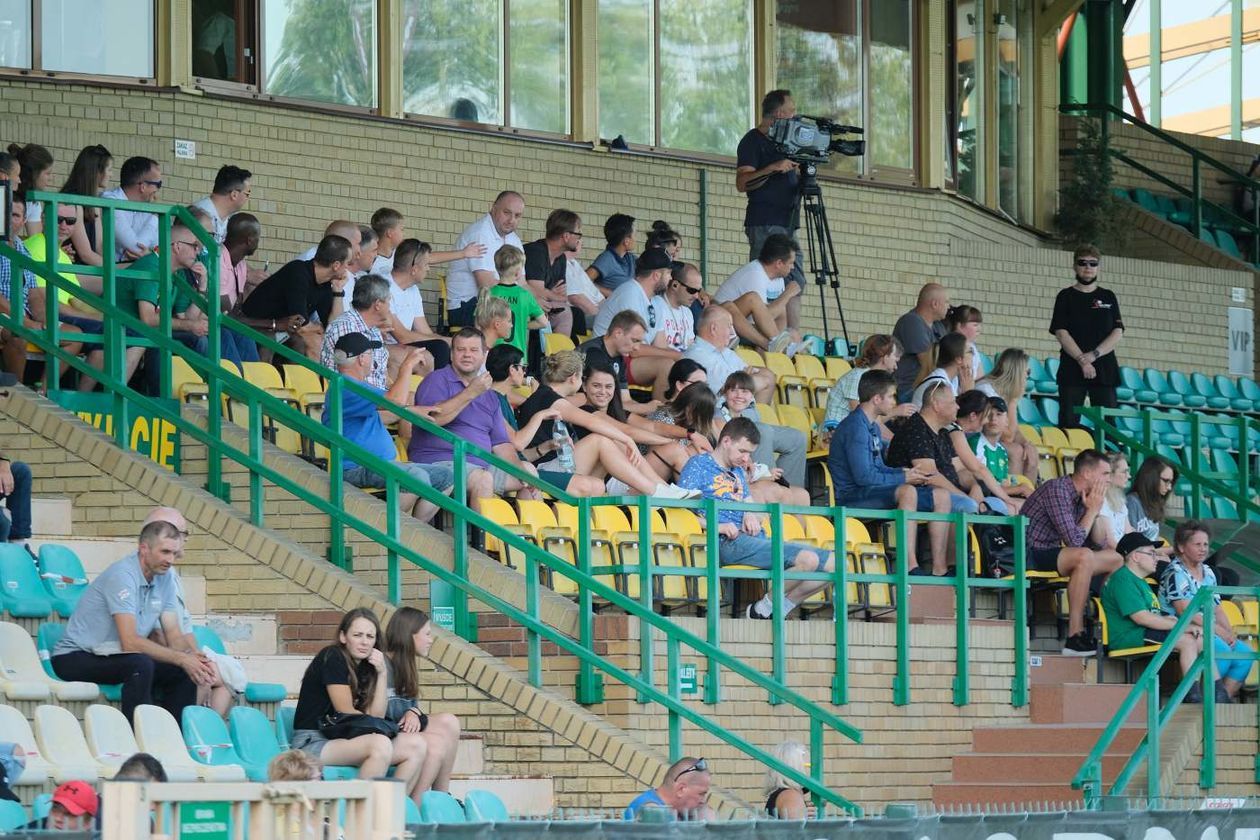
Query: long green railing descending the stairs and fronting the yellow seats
(263, 407)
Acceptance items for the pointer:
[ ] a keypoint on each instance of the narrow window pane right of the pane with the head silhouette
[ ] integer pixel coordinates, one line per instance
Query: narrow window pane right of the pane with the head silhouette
(539, 46)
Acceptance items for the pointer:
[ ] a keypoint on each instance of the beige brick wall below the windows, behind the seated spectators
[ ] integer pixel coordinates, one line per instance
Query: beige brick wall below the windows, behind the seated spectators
(311, 168)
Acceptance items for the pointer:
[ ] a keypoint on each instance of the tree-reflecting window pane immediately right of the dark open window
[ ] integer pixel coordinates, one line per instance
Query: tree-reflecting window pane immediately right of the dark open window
(323, 51)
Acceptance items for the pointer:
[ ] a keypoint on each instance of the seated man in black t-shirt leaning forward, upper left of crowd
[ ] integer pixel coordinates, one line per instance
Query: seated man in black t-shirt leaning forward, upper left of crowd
(288, 300)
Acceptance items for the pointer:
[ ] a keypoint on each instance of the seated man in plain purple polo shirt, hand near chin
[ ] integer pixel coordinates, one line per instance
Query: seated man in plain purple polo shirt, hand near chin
(464, 405)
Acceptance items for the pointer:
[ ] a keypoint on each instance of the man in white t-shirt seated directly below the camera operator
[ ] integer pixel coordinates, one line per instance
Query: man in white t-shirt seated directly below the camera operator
(758, 300)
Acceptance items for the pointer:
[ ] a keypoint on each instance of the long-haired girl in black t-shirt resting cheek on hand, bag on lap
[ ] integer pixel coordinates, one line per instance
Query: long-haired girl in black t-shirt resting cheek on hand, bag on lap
(350, 678)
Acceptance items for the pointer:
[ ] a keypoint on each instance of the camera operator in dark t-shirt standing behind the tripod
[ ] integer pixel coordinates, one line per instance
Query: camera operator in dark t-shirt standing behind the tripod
(773, 186)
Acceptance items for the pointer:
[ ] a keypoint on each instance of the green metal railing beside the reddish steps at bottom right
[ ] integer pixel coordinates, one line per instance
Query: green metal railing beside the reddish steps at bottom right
(1146, 691)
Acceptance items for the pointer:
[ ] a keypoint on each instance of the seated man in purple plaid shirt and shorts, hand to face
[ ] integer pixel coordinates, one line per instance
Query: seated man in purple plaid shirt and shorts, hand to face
(1062, 516)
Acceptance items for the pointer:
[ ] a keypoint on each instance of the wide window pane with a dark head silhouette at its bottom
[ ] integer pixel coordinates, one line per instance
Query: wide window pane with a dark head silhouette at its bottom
(453, 60)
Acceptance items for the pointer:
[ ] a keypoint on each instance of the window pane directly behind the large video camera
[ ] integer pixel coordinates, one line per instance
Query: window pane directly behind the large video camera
(821, 62)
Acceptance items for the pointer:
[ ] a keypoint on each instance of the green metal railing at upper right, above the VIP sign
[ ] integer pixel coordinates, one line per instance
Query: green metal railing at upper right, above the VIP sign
(1217, 215)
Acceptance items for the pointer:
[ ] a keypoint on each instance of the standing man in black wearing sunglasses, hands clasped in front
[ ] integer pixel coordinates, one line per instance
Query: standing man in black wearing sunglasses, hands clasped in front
(1088, 324)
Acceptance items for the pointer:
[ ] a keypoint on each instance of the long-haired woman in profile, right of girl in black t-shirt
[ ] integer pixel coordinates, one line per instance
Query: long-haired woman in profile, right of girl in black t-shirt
(410, 635)
